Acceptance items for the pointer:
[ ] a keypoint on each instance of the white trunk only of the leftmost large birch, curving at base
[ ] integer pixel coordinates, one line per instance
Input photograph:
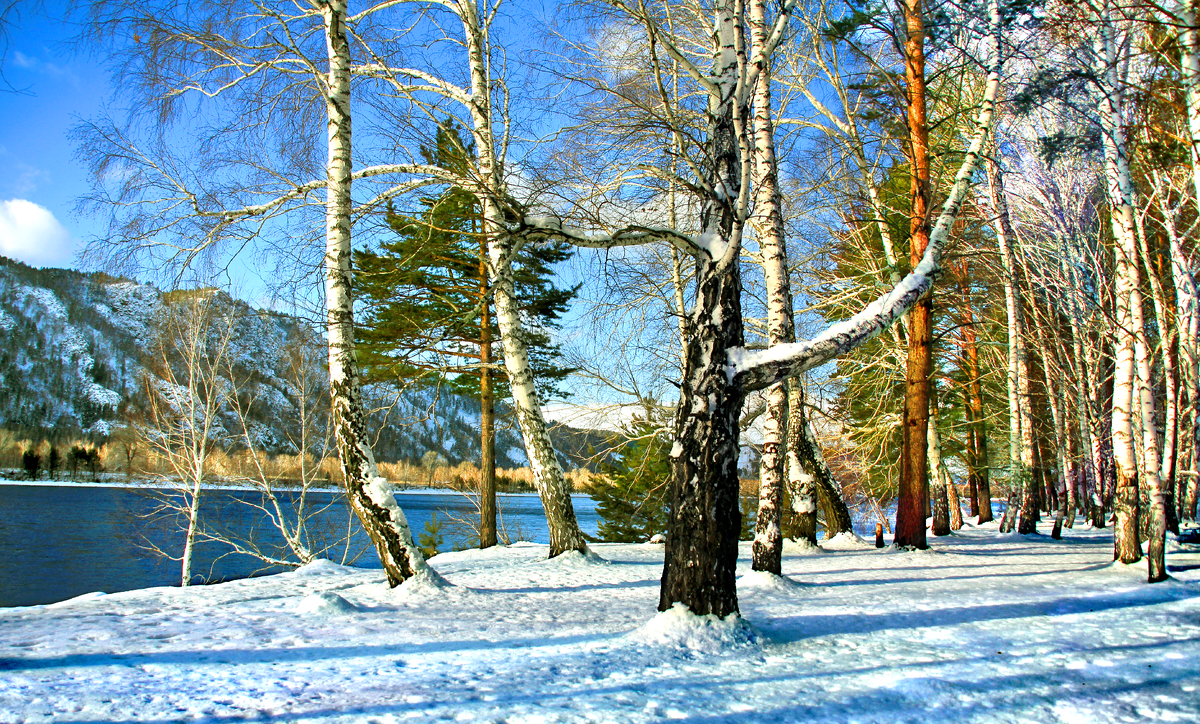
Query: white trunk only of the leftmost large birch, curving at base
(367, 492)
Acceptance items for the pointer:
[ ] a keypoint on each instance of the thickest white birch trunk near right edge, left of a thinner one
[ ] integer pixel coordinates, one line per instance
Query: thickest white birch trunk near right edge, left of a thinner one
(1127, 547)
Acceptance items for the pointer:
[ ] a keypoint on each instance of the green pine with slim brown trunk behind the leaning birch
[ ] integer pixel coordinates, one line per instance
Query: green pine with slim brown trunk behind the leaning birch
(428, 310)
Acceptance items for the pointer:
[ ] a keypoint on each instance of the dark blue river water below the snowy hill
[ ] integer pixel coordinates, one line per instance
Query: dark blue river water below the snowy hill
(58, 542)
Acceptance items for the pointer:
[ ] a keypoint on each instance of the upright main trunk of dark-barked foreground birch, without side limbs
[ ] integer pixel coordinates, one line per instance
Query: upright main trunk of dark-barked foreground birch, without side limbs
(706, 520)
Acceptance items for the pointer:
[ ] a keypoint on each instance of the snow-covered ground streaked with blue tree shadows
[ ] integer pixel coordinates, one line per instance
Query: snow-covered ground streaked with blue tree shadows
(983, 629)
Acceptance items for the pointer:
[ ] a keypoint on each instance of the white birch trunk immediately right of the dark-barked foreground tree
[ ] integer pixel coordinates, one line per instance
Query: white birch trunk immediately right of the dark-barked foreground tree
(769, 224)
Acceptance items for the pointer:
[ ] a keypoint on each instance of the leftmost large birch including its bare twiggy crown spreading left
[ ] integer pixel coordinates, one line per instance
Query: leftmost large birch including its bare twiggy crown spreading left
(267, 67)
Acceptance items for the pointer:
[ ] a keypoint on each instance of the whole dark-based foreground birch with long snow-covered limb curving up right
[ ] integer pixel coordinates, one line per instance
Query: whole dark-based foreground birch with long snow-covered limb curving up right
(701, 552)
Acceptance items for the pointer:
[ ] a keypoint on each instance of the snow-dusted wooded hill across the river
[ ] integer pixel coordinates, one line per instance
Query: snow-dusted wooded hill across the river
(79, 349)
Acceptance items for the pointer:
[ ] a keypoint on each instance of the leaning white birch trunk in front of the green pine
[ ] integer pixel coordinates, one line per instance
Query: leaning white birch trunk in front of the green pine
(553, 486)
